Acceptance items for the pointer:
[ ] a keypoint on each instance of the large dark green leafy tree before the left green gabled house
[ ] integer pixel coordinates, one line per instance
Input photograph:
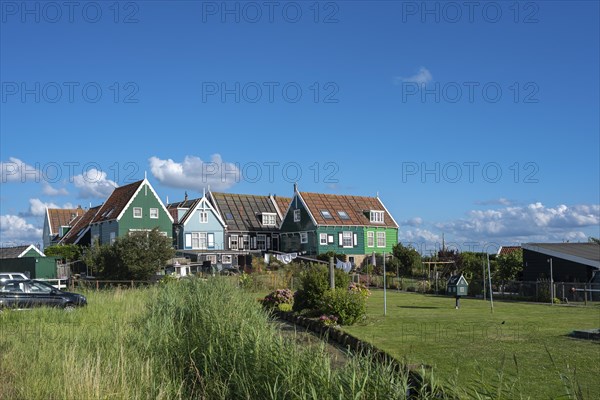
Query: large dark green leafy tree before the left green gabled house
(136, 256)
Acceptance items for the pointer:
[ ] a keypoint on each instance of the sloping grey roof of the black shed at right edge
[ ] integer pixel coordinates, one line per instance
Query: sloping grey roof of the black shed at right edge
(583, 253)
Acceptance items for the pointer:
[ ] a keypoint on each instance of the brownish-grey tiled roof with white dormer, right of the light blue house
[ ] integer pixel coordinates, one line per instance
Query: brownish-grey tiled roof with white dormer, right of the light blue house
(243, 212)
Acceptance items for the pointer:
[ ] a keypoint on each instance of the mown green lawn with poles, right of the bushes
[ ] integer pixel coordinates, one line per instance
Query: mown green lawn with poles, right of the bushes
(525, 343)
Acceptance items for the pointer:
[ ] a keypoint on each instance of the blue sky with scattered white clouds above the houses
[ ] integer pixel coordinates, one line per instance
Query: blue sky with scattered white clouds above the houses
(481, 124)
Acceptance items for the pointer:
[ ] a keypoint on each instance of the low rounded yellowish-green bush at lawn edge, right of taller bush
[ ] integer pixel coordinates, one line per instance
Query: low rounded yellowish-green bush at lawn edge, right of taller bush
(348, 306)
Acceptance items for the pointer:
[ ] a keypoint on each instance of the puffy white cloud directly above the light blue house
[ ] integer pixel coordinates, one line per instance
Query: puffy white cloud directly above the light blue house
(195, 174)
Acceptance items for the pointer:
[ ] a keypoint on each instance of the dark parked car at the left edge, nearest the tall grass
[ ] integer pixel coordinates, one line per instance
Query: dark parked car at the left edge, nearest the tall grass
(23, 294)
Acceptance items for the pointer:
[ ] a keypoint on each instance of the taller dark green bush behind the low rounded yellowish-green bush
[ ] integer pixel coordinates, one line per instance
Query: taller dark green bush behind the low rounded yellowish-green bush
(315, 281)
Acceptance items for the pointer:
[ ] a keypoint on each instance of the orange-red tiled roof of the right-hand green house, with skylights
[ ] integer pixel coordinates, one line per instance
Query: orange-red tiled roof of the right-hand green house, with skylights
(357, 209)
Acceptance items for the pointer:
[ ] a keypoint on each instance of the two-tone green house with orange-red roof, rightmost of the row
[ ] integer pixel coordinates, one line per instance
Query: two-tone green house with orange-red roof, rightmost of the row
(356, 226)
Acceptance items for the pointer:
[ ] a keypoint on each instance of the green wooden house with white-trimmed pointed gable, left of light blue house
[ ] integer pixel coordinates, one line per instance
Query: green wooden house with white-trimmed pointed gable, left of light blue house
(130, 208)
